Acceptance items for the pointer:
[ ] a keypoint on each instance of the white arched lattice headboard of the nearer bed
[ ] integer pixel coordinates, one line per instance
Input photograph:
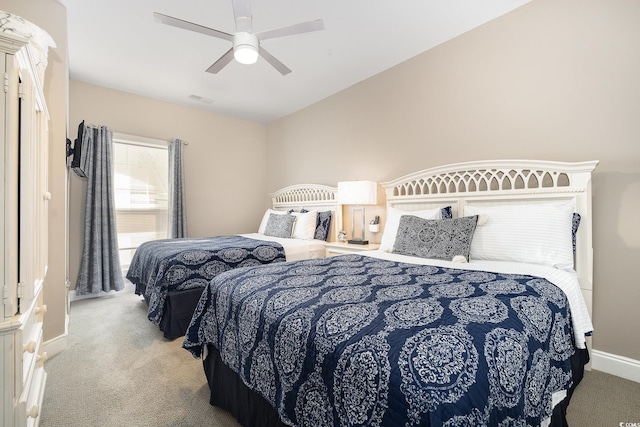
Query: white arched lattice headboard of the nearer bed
(494, 182)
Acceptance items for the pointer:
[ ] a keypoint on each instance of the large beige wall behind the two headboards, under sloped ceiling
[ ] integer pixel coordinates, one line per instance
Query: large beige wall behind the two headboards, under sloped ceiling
(551, 80)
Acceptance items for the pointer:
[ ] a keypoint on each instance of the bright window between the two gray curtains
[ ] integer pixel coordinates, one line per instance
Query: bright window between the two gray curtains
(141, 181)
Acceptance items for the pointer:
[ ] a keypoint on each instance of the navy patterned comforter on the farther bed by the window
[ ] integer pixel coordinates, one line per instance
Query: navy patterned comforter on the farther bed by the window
(168, 265)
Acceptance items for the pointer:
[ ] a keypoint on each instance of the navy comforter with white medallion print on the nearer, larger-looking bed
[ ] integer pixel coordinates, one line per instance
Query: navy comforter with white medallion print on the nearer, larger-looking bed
(355, 340)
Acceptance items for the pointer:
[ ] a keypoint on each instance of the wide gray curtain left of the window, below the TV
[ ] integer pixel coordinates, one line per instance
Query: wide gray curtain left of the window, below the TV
(100, 265)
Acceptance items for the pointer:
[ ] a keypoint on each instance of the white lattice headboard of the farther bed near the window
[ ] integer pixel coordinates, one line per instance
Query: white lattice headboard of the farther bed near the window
(310, 196)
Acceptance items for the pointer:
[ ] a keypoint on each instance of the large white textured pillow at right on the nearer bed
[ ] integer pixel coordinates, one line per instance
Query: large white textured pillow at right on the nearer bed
(532, 233)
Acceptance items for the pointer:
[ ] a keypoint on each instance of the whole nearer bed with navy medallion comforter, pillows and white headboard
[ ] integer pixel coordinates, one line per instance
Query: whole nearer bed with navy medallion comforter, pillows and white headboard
(397, 338)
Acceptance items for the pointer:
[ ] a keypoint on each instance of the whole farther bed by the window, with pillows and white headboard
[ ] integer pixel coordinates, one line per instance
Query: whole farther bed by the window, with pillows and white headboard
(171, 273)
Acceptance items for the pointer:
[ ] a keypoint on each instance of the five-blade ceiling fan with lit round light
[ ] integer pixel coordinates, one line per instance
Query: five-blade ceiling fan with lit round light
(246, 44)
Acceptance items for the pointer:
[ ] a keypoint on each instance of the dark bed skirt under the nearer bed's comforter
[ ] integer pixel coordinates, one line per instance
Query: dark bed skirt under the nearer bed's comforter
(251, 410)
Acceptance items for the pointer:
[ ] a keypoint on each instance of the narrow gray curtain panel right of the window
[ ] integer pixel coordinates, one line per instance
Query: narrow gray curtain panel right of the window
(177, 213)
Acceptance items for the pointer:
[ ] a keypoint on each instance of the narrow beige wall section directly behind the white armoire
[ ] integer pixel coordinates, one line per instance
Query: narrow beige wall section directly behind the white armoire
(52, 17)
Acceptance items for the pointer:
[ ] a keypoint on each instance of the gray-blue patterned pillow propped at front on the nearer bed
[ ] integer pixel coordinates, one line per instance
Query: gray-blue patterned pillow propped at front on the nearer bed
(435, 238)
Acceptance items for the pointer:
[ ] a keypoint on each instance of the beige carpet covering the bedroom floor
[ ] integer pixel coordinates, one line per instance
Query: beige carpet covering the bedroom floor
(118, 370)
